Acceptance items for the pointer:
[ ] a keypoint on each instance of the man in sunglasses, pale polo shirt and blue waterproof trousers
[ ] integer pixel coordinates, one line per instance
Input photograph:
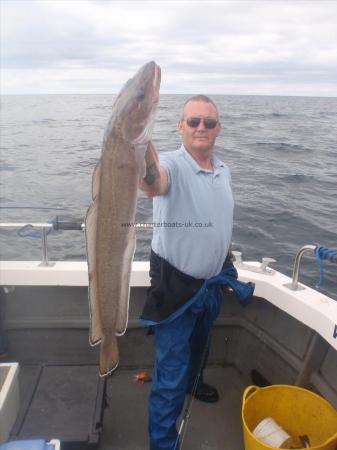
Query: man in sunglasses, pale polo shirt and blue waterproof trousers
(190, 260)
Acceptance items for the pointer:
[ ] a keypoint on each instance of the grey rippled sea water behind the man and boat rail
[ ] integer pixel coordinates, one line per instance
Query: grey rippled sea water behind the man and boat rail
(282, 153)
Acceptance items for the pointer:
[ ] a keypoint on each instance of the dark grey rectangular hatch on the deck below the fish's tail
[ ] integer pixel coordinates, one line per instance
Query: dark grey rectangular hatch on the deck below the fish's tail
(64, 402)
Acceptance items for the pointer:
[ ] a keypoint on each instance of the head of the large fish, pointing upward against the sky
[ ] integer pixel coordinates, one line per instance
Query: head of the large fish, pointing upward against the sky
(137, 103)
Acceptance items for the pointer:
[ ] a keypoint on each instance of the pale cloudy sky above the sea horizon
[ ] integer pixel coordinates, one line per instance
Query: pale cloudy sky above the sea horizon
(236, 47)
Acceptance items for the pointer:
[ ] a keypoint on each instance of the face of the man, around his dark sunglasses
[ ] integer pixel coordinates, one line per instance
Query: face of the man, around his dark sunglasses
(200, 138)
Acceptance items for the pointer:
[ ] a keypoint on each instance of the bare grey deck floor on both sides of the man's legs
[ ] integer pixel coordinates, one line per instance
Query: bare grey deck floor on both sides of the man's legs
(210, 427)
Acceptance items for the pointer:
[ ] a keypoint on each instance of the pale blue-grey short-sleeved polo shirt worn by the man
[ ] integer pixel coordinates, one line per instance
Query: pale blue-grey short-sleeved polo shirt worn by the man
(193, 221)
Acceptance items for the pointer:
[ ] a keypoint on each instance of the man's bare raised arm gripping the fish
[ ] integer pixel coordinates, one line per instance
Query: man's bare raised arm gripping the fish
(155, 181)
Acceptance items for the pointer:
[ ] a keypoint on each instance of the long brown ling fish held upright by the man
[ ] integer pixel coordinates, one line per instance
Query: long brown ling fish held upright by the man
(110, 244)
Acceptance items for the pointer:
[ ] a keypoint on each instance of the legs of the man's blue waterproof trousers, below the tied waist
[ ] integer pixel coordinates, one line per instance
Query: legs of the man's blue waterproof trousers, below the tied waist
(180, 347)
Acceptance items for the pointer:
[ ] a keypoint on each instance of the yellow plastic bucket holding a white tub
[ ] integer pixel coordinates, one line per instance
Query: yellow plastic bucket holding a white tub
(298, 411)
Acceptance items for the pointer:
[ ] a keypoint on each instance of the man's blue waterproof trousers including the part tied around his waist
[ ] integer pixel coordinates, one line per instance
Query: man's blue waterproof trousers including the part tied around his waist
(180, 346)
